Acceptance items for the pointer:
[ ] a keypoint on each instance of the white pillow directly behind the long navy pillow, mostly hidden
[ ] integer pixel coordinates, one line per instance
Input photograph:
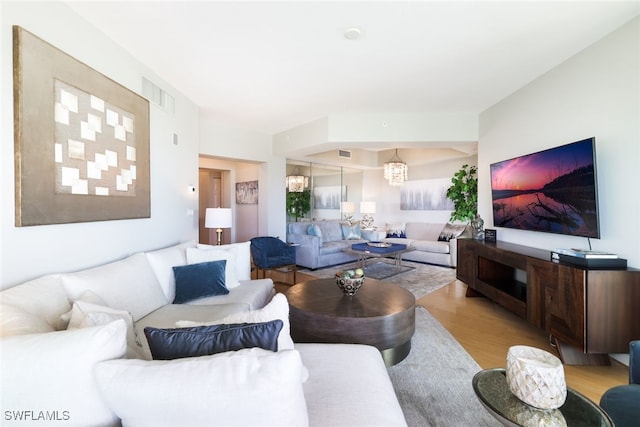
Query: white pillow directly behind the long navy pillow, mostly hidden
(278, 308)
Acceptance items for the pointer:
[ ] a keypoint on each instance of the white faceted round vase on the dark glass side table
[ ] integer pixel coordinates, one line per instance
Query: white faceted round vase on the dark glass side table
(536, 377)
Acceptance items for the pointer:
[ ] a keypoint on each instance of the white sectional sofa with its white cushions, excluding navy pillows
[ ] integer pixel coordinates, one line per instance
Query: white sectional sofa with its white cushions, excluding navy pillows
(73, 352)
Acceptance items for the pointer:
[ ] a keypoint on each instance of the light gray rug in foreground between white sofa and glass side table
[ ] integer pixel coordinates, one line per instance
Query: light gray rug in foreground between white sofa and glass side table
(433, 383)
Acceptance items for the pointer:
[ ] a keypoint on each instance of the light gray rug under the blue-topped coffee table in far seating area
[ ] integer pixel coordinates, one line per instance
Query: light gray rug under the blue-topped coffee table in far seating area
(420, 281)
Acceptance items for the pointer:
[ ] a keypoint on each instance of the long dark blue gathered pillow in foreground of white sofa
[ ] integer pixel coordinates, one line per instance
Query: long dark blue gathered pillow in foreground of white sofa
(168, 344)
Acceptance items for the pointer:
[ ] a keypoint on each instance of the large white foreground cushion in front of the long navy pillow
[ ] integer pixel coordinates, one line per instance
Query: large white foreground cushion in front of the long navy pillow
(251, 387)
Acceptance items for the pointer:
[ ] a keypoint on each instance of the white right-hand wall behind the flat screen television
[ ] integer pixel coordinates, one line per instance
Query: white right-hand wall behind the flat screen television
(595, 93)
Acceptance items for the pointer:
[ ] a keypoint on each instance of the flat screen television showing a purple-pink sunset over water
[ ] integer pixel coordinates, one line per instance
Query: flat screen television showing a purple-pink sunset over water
(552, 191)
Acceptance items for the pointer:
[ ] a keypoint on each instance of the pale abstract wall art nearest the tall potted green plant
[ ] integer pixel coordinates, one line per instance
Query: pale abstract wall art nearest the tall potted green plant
(427, 194)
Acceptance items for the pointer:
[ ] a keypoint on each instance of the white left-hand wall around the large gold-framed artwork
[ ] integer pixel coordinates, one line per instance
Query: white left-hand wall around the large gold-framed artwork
(28, 252)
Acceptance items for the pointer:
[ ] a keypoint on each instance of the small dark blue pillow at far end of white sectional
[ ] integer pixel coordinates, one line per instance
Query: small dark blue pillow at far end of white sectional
(200, 280)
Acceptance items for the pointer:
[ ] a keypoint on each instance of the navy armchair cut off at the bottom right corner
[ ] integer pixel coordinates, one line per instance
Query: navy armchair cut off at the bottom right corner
(622, 403)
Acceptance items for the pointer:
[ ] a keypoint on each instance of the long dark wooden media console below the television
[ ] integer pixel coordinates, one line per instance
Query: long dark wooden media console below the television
(588, 313)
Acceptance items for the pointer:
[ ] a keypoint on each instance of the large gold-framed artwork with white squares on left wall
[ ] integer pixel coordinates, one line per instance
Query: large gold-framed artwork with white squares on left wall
(81, 140)
